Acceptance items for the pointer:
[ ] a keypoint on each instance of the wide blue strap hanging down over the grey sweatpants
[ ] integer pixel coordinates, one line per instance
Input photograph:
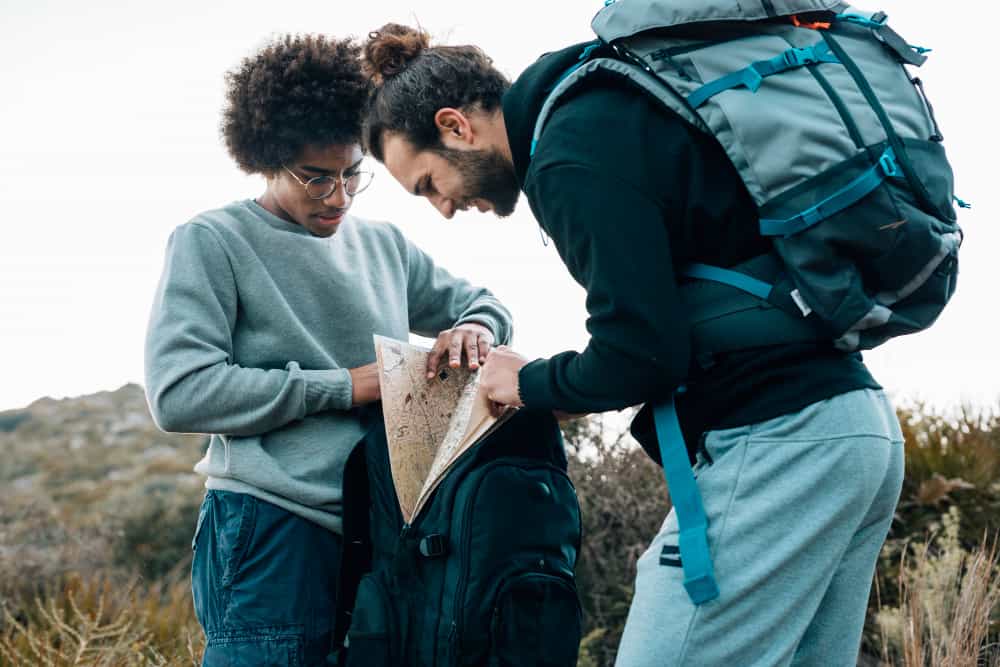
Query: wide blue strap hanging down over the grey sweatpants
(699, 575)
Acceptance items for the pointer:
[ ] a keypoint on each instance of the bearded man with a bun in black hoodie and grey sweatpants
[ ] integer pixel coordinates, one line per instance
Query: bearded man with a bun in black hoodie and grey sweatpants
(797, 451)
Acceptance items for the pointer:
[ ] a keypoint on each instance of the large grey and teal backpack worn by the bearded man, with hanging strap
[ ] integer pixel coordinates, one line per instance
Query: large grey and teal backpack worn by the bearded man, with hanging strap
(839, 149)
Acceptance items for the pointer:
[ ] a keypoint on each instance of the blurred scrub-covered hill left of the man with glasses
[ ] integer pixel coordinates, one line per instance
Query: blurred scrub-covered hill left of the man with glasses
(90, 483)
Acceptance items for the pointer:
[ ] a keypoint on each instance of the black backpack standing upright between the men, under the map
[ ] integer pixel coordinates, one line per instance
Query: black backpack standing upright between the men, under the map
(483, 575)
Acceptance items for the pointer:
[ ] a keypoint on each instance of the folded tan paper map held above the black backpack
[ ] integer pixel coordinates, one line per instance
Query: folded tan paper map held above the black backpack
(428, 423)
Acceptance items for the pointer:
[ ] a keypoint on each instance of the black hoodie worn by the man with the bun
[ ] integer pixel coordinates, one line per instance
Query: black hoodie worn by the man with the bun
(627, 191)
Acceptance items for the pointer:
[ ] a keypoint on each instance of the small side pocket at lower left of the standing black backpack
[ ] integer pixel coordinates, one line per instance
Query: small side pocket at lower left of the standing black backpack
(374, 632)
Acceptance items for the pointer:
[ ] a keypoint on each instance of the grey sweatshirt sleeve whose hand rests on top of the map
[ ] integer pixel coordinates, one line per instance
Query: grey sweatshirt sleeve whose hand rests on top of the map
(437, 300)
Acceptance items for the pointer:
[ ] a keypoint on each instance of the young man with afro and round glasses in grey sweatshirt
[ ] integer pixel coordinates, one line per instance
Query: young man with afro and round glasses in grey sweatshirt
(261, 335)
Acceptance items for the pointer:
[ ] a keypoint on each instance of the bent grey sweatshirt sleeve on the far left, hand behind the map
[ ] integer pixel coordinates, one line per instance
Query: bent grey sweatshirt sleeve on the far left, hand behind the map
(192, 383)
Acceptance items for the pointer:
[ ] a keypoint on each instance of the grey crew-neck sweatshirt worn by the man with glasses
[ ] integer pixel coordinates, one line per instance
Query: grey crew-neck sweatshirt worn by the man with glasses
(254, 327)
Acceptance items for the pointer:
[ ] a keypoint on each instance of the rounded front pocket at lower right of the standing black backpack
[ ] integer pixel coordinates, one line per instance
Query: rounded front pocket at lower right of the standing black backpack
(536, 621)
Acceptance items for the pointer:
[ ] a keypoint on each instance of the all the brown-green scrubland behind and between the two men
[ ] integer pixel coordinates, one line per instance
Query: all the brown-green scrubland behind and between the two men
(98, 509)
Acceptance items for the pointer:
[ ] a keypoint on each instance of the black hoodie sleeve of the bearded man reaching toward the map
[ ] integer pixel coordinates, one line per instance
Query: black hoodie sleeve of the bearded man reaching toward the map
(613, 240)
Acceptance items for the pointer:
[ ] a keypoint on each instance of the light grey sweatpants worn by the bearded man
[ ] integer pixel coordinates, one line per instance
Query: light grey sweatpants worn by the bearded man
(798, 509)
